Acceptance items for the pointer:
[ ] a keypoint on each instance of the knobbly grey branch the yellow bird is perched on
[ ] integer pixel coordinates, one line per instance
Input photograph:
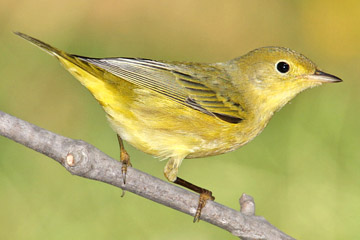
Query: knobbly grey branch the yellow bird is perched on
(84, 160)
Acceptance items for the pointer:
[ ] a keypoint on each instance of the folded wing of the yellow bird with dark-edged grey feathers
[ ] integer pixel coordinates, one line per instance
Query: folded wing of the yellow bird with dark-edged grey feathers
(172, 81)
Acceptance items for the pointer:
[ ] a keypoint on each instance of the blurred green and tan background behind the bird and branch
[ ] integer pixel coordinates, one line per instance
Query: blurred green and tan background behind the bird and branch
(303, 170)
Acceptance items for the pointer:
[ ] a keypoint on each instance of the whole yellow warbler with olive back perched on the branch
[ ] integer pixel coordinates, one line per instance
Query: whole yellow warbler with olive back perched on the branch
(178, 110)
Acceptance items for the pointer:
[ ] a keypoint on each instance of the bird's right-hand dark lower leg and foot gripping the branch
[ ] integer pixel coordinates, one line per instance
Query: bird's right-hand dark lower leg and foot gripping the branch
(204, 195)
